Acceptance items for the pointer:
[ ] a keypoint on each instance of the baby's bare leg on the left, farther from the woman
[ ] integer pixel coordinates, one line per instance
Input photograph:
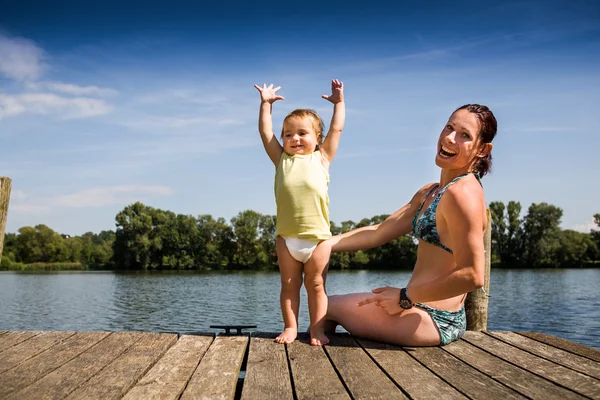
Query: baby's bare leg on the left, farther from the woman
(289, 297)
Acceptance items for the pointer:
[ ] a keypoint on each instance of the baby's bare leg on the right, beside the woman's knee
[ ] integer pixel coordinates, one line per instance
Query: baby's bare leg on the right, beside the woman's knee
(315, 271)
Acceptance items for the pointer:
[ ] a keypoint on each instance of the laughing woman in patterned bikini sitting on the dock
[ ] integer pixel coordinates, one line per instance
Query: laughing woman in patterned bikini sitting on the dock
(449, 219)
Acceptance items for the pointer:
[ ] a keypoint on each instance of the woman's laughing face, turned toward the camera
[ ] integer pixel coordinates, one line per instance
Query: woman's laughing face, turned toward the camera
(459, 142)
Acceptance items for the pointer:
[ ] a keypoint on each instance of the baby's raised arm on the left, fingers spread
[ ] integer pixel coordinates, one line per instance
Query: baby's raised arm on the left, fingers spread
(268, 95)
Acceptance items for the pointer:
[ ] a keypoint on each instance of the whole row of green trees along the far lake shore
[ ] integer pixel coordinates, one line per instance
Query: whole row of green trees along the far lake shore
(148, 238)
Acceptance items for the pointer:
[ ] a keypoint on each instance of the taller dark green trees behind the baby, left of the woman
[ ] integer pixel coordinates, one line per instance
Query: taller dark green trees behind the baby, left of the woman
(150, 238)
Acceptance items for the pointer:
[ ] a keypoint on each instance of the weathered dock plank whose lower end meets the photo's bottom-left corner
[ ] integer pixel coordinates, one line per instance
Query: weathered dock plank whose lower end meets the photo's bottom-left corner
(37, 367)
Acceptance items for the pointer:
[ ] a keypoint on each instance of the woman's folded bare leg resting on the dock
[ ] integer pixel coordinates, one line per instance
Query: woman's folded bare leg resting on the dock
(412, 327)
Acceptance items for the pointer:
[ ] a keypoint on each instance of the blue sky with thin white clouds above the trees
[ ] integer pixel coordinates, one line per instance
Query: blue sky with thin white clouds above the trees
(105, 105)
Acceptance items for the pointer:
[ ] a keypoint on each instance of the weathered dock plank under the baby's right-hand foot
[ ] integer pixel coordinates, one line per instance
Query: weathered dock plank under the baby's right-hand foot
(312, 372)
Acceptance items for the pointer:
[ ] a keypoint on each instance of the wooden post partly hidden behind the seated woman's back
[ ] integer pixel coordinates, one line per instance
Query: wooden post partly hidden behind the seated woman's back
(476, 304)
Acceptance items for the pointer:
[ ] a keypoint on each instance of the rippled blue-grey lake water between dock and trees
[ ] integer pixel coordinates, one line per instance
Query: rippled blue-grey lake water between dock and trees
(560, 302)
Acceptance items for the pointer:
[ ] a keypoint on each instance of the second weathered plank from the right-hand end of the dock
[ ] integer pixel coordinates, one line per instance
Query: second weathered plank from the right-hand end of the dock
(558, 356)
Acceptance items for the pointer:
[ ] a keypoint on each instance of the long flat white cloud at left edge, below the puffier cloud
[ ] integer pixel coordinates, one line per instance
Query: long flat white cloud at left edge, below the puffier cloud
(47, 103)
